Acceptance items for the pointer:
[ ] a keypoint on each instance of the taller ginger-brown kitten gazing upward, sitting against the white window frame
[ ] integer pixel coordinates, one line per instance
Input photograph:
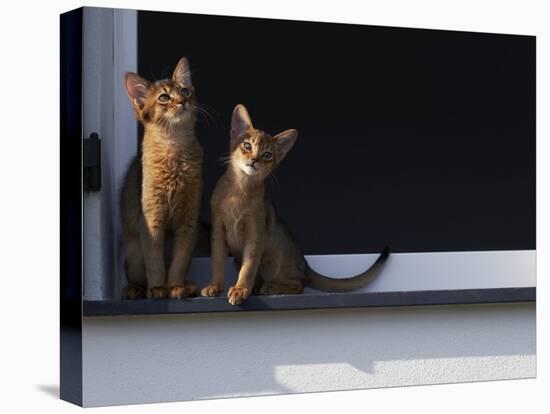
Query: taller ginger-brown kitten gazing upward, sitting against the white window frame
(162, 192)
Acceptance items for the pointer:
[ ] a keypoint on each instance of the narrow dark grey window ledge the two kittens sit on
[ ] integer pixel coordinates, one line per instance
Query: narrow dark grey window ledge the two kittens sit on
(310, 301)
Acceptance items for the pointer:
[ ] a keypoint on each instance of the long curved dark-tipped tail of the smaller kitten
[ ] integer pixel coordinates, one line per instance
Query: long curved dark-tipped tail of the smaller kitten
(328, 284)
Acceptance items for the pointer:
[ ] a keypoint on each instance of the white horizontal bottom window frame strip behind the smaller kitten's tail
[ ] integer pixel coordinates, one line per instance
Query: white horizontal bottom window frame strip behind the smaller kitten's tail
(412, 271)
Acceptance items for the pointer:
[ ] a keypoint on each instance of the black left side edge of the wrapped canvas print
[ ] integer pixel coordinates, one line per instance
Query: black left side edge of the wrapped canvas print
(71, 206)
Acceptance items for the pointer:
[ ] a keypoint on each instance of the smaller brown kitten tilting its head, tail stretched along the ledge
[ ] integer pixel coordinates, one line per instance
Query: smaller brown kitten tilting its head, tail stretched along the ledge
(244, 223)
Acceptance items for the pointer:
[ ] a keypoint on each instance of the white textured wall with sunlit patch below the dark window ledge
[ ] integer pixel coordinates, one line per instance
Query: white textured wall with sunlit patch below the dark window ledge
(130, 360)
